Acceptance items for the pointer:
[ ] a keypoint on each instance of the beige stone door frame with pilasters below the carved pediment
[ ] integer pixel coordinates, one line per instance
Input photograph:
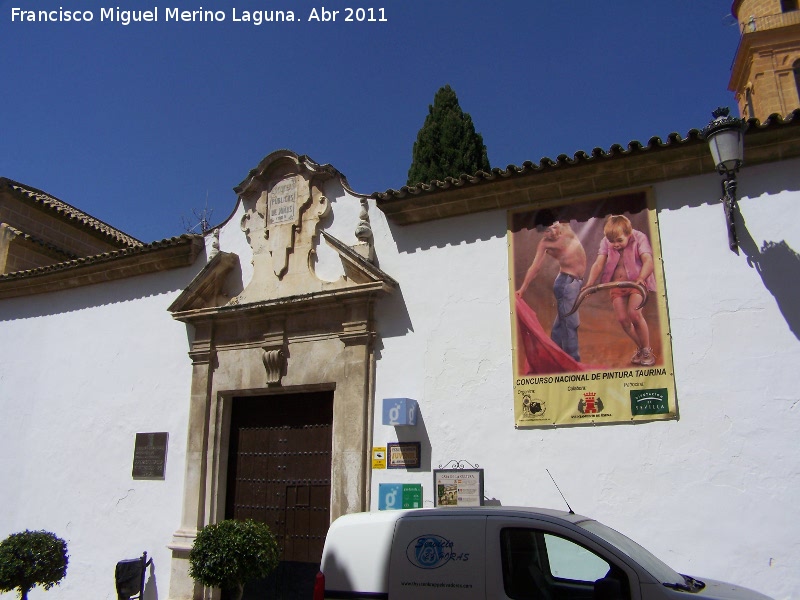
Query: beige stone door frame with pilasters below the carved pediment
(311, 343)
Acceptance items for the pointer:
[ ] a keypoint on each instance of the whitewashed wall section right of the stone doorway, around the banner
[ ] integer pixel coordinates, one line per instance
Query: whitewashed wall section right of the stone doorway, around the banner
(712, 493)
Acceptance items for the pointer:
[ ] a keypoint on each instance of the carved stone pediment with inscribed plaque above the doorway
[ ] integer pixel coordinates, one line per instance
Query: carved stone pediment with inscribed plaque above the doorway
(285, 211)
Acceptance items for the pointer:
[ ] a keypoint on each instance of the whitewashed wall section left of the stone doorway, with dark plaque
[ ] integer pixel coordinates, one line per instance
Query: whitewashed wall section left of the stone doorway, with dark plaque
(81, 372)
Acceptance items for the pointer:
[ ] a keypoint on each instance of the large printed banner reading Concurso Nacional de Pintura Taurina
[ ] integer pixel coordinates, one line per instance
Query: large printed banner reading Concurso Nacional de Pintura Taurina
(589, 314)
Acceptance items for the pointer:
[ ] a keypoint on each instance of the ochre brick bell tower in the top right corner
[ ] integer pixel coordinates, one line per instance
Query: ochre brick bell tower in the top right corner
(765, 76)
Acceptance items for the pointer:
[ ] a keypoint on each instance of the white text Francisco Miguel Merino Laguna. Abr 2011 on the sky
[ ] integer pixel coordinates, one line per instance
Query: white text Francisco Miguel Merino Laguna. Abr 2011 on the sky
(200, 15)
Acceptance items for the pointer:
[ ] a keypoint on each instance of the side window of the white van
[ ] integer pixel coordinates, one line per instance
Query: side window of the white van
(543, 566)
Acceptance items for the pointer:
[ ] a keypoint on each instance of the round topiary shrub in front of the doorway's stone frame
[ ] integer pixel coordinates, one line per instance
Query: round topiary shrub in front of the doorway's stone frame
(230, 553)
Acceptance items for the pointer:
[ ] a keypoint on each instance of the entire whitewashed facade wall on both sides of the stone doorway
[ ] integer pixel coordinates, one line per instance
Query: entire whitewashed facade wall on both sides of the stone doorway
(711, 494)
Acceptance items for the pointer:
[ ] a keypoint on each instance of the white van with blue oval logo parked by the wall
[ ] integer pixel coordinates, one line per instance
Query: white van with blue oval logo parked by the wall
(495, 553)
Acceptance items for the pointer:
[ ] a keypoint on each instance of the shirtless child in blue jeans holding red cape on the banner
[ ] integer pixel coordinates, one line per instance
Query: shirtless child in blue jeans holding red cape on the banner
(560, 243)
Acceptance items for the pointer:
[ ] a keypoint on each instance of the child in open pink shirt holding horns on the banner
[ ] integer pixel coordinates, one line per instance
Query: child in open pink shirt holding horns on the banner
(625, 255)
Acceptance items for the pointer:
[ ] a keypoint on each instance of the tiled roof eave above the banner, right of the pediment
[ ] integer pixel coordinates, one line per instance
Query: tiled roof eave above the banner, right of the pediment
(583, 175)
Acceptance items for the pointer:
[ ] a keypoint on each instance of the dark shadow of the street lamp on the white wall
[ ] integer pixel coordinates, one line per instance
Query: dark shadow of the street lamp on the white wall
(779, 268)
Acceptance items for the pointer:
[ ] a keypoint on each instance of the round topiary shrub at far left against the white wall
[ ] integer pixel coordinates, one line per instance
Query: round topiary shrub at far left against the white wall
(32, 558)
